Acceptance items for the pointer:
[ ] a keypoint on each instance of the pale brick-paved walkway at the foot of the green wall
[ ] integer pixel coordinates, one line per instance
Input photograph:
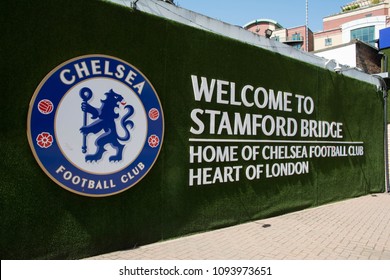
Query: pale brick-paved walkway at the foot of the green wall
(353, 229)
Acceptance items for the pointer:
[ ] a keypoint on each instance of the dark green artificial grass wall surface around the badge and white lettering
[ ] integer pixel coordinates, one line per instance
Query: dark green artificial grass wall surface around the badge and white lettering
(41, 220)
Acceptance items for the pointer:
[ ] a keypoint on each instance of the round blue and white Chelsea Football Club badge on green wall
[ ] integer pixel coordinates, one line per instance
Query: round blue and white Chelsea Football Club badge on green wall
(95, 125)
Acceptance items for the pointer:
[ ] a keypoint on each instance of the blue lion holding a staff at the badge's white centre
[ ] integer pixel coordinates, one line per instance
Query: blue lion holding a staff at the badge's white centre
(105, 121)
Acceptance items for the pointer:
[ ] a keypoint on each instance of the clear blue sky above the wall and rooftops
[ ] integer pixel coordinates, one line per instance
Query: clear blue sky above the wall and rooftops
(288, 13)
